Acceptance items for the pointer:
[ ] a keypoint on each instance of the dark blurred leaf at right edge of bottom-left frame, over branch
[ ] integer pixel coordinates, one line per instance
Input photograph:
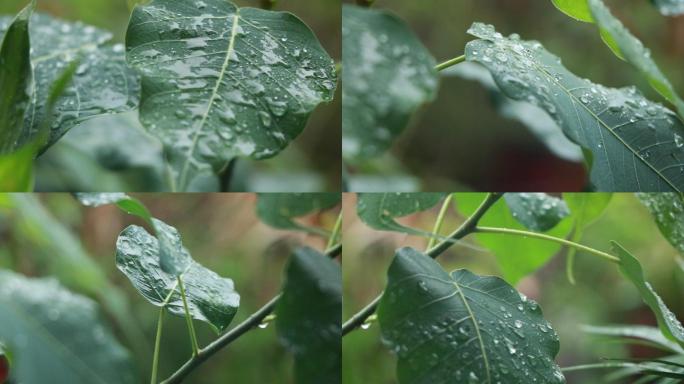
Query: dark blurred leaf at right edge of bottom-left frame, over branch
(308, 316)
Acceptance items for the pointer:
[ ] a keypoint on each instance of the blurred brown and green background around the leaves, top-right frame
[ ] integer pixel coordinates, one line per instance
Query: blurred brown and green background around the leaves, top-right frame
(459, 141)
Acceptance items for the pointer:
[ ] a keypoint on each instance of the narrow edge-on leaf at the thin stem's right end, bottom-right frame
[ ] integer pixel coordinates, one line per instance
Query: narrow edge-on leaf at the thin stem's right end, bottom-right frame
(631, 269)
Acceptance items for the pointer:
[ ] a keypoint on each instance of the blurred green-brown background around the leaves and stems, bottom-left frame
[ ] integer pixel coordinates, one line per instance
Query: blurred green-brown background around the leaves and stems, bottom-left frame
(53, 235)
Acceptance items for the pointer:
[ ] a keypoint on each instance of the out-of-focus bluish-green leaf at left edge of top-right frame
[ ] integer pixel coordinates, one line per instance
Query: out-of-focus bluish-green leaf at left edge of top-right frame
(387, 75)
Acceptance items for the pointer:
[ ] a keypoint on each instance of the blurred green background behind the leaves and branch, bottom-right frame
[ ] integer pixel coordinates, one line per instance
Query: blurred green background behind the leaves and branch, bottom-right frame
(601, 295)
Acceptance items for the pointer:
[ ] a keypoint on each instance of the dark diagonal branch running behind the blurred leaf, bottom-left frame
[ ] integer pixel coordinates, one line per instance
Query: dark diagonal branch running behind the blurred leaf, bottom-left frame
(252, 321)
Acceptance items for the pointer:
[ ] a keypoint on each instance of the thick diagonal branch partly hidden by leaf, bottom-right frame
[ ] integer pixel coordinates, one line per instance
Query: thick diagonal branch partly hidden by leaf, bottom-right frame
(466, 228)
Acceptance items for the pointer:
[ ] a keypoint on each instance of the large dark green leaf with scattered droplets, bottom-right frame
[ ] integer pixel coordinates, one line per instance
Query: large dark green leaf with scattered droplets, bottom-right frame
(461, 327)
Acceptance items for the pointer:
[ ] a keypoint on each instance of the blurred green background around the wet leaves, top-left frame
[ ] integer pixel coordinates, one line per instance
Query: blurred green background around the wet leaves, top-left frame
(312, 162)
